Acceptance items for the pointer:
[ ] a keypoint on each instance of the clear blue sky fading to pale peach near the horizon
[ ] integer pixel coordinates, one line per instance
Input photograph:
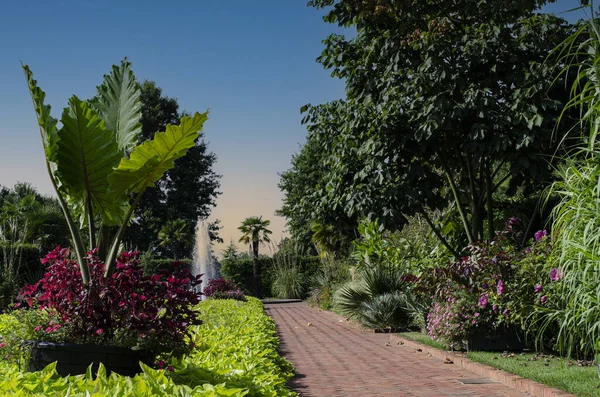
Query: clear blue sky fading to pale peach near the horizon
(251, 62)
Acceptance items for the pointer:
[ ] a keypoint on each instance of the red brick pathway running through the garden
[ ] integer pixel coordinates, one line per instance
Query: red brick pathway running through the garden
(334, 358)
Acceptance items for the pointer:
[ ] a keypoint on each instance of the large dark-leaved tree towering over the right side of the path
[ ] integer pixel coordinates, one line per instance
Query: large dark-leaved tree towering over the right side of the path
(447, 104)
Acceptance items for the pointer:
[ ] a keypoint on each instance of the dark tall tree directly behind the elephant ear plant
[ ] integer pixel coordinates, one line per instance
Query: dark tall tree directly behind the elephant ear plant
(186, 192)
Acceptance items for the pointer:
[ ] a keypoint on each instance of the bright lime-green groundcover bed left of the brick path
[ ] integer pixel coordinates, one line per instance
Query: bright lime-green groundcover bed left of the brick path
(235, 355)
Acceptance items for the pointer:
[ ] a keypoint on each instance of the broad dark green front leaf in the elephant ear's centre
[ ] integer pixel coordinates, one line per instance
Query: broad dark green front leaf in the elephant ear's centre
(87, 154)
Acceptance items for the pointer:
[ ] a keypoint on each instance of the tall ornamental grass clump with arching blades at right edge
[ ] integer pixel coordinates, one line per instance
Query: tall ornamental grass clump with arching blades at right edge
(573, 313)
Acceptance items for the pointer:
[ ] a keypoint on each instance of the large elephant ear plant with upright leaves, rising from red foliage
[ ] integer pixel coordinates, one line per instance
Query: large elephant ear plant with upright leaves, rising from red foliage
(96, 164)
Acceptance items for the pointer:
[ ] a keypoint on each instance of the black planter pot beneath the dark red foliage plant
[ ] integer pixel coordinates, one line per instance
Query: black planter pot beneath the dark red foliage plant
(74, 359)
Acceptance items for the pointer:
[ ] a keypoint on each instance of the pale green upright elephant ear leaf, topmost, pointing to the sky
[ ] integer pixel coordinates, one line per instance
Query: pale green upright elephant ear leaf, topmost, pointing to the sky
(118, 104)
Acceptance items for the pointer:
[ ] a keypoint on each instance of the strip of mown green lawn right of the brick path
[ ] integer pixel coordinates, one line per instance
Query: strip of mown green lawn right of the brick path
(547, 369)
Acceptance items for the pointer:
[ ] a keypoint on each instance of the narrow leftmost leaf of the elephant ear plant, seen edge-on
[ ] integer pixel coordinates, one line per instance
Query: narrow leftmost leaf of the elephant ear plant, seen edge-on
(46, 122)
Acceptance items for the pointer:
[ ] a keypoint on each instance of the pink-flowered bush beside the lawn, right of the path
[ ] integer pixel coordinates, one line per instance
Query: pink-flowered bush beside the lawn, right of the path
(493, 285)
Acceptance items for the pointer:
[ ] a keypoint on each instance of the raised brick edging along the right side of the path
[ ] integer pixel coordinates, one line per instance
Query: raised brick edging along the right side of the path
(516, 382)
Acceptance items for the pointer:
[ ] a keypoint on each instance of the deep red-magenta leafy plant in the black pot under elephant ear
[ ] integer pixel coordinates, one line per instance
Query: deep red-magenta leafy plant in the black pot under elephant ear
(128, 308)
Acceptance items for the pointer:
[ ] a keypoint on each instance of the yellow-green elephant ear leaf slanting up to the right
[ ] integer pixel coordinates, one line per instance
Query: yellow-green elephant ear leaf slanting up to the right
(148, 162)
